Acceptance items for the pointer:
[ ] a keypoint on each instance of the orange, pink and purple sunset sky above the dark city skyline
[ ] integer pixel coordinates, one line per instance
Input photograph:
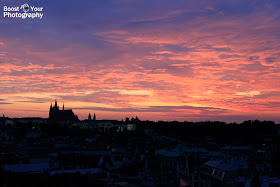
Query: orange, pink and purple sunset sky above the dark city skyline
(184, 60)
